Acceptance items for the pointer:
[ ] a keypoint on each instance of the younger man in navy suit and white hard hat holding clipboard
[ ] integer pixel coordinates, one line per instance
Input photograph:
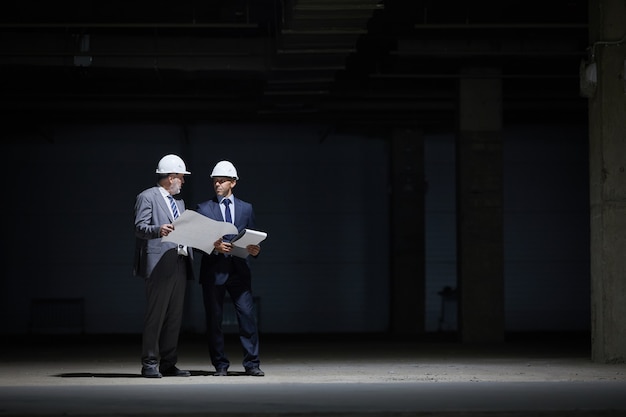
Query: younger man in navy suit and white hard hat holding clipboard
(221, 272)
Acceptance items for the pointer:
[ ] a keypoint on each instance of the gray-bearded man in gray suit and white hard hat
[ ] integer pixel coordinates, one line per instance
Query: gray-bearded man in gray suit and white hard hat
(165, 267)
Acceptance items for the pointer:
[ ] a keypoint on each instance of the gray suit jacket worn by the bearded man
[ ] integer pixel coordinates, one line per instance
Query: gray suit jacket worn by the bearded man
(151, 211)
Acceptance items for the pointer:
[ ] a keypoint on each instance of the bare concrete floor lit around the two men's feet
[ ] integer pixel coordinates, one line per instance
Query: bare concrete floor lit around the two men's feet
(313, 376)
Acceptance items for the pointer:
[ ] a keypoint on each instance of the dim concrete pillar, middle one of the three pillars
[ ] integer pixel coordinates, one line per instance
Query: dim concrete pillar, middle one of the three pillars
(480, 253)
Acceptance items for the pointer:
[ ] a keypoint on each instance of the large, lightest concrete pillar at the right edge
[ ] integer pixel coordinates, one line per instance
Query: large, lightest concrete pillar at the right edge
(607, 164)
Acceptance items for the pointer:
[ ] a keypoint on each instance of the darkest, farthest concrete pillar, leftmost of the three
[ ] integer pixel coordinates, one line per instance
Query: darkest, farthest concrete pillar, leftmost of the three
(407, 232)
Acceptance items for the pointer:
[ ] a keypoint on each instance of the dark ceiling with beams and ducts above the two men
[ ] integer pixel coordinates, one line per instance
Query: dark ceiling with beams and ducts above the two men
(340, 61)
